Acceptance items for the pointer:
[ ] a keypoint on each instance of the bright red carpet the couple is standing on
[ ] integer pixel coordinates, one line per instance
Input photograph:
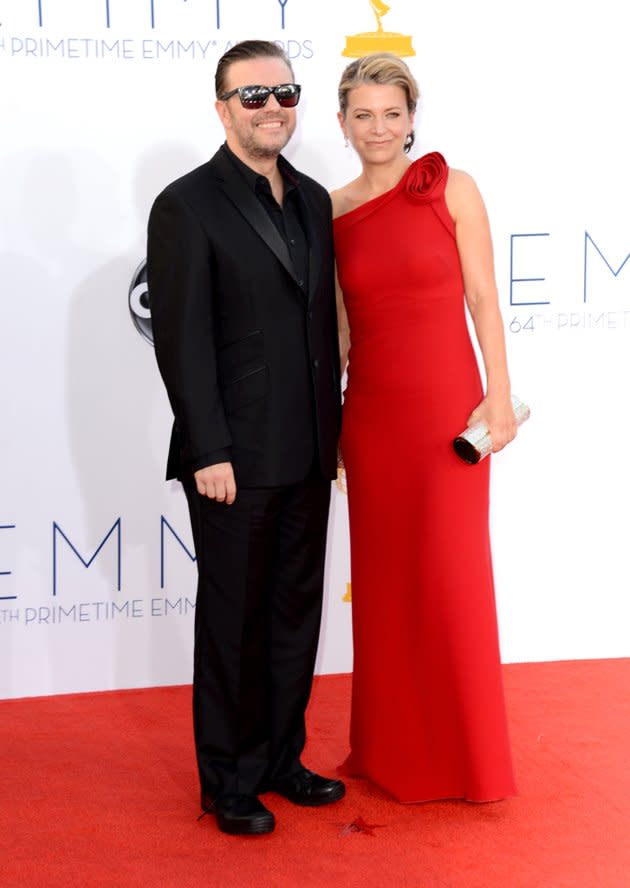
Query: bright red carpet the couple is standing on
(99, 790)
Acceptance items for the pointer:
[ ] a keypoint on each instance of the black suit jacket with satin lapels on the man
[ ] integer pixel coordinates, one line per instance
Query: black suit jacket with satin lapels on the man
(248, 356)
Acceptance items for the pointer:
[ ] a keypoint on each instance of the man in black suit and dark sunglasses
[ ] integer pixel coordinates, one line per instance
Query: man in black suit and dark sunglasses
(241, 283)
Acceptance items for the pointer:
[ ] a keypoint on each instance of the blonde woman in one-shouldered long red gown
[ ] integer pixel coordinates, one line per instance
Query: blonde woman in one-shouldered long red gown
(428, 713)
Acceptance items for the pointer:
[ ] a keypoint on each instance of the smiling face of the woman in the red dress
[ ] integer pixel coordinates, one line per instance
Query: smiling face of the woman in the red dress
(377, 122)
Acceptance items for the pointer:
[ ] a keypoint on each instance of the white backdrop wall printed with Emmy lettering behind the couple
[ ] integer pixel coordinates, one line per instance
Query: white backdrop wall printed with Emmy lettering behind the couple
(101, 104)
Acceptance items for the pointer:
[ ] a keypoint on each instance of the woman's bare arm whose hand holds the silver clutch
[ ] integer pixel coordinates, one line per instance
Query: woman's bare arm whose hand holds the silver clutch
(474, 243)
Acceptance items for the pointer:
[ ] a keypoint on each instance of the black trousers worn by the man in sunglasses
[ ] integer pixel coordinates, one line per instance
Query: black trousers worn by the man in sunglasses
(259, 601)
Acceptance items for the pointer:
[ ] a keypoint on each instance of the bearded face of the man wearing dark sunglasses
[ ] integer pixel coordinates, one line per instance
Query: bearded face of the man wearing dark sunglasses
(261, 133)
